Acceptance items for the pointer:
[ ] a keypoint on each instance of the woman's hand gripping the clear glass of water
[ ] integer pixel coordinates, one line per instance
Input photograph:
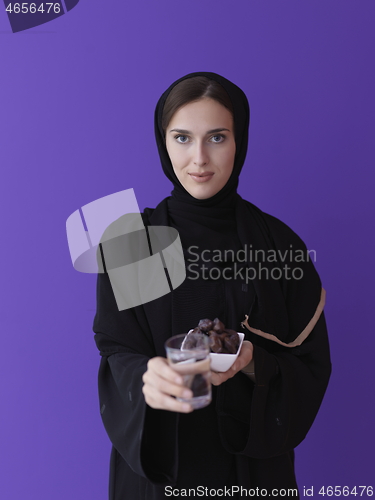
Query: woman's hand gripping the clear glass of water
(161, 383)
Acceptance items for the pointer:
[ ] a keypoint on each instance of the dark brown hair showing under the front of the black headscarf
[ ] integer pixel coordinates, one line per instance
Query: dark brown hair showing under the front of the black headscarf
(193, 89)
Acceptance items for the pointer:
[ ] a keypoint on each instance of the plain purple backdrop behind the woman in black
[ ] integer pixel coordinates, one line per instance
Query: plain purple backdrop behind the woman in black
(77, 101)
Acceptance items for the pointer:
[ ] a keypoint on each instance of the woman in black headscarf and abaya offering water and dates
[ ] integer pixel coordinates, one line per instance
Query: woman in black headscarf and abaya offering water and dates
(242, 267)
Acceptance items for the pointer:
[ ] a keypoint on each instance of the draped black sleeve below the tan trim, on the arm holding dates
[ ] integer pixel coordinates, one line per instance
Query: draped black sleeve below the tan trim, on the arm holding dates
(275, 415)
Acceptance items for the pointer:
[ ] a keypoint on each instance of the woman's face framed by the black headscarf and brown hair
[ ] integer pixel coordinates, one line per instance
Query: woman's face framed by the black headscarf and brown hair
(200, 143)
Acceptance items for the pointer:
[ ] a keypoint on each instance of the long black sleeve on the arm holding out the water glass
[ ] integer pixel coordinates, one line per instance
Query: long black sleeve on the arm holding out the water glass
(144, 437)
